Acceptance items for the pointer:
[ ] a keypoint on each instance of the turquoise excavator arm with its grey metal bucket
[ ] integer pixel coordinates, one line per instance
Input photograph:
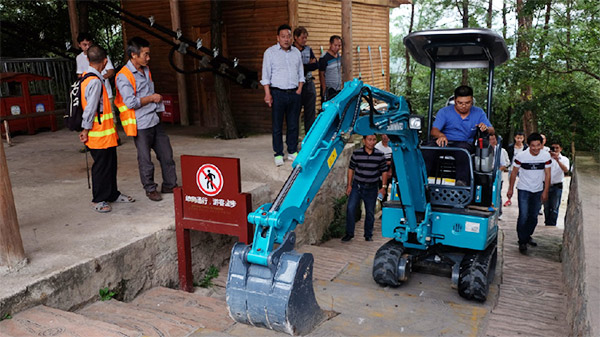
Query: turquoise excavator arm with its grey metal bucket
(269, 283)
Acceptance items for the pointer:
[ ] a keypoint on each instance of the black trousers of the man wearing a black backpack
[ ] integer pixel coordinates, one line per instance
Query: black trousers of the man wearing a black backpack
(104, 175)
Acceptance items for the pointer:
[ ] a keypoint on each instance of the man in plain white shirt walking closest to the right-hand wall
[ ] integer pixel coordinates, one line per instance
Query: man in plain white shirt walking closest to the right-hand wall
(558, 168)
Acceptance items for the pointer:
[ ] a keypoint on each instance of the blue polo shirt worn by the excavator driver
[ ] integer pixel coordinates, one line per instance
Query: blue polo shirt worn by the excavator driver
(457, 129)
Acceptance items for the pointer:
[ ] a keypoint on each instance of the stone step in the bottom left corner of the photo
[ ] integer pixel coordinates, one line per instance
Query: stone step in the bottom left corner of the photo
(46, 321)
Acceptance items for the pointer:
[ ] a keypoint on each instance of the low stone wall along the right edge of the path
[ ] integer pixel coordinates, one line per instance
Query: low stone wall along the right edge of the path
(581, 242)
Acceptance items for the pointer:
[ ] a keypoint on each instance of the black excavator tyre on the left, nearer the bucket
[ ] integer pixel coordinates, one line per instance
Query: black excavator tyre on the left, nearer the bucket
(385, 265)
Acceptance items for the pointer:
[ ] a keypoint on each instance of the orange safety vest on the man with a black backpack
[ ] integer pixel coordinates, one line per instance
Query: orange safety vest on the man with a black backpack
(102, 135)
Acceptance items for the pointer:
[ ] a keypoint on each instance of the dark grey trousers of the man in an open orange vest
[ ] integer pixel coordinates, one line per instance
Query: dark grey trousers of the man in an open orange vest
(156, 139)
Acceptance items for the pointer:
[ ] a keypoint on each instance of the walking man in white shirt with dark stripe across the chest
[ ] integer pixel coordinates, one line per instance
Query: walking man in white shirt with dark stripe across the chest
(533, 168)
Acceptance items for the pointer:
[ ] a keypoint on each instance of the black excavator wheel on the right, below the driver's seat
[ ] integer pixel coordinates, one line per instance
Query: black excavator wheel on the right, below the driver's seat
(477, 273)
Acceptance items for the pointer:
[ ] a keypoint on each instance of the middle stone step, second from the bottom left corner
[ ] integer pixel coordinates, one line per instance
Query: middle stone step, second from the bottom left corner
(149, 323)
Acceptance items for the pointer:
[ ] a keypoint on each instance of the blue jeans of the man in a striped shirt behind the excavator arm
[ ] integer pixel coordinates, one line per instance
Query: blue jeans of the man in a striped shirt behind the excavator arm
(368, 194)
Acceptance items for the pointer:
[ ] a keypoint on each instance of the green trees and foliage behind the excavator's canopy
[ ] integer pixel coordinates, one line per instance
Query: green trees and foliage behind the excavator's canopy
(563, 68)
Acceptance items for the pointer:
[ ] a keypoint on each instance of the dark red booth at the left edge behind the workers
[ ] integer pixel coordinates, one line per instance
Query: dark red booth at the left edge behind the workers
(17, 100)
